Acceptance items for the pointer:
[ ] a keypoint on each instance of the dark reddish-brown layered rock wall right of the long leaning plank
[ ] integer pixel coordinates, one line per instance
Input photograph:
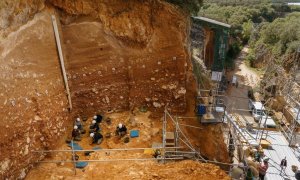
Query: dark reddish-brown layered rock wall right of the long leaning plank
(125, 54)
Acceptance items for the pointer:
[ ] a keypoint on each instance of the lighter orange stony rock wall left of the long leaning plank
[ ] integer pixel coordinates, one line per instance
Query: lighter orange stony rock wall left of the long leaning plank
(33, 101)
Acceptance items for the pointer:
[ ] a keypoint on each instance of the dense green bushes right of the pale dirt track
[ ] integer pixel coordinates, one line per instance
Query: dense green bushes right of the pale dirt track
(279, 40)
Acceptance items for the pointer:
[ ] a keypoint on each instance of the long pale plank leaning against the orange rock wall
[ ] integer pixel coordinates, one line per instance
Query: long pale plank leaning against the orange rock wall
(61, 58)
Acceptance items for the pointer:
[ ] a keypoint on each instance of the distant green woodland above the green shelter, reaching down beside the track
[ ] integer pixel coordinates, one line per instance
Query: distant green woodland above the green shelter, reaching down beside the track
(246, 21)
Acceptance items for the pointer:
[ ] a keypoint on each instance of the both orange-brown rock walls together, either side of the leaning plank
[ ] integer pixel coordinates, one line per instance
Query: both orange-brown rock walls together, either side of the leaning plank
(119, 55)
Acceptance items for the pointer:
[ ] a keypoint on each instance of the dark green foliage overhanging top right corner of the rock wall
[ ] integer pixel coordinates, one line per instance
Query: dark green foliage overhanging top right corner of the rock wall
(191, 6)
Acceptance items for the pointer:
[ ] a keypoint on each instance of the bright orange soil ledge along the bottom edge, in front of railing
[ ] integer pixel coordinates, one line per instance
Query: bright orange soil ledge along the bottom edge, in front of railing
(134, 170)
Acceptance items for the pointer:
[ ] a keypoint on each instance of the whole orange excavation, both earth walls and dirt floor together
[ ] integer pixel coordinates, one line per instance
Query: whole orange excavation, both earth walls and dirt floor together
(117, 60)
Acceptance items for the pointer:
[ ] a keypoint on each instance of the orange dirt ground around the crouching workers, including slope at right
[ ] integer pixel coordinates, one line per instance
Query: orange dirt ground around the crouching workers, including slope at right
(206, 138)
